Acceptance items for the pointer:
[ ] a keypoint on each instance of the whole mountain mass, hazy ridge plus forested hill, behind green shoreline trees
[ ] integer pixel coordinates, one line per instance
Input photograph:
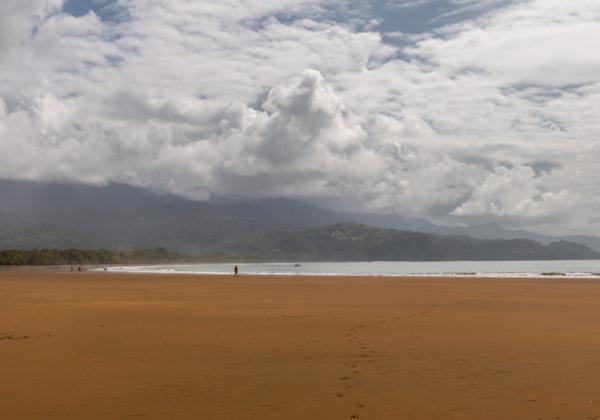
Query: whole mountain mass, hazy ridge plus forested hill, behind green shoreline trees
(118, 216)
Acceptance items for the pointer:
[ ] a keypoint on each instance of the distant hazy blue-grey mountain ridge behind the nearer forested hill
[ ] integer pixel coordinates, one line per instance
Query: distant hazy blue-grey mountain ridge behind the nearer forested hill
(120, 217)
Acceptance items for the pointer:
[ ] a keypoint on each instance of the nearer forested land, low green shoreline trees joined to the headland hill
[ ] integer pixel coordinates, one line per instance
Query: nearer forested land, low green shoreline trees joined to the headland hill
(341, 242)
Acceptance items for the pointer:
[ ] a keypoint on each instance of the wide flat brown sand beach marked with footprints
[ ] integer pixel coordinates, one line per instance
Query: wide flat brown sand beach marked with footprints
(104, 346)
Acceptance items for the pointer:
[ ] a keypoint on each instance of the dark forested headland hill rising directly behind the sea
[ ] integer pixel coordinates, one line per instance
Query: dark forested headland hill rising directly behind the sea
(354, 242)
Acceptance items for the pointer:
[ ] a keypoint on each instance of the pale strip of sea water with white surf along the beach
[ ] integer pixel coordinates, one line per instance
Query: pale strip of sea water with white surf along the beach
(578, 269)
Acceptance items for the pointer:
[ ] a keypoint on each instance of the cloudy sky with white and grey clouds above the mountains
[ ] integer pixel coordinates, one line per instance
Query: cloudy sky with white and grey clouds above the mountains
(458, 111)
